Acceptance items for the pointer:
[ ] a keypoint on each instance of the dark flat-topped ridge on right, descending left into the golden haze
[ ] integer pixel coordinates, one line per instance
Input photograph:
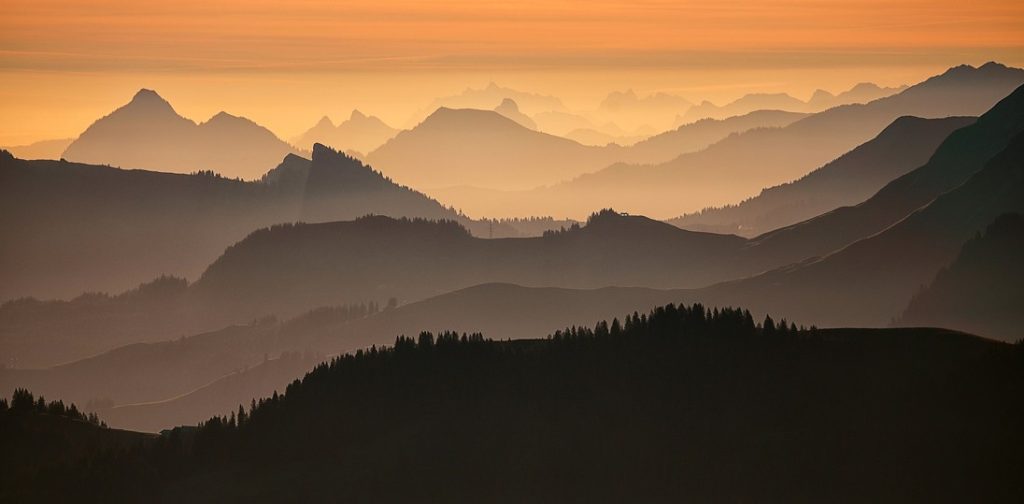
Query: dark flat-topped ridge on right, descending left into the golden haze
(904, 146)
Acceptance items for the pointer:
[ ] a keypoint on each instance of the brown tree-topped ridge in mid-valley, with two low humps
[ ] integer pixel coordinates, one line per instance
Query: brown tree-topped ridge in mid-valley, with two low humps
(287, 269)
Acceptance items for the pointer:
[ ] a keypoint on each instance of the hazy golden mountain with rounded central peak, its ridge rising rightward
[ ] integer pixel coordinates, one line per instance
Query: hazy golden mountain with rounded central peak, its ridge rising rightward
(456, 149)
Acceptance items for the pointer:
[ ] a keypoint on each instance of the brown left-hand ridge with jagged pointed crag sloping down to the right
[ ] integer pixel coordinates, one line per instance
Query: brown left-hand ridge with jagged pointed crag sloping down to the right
(101, 229)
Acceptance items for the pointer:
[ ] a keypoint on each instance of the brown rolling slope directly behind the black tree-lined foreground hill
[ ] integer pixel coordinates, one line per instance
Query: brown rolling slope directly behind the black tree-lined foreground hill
(151, 387)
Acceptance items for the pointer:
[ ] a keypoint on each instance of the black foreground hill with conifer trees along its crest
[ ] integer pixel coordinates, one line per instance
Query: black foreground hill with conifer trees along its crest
(680, 405)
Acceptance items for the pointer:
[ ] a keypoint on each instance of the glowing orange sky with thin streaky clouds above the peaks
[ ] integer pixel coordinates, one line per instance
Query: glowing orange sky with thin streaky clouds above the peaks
(64, 64)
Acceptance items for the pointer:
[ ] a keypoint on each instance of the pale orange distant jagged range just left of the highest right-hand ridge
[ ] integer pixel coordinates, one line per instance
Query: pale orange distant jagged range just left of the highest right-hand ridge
(821, 101)
